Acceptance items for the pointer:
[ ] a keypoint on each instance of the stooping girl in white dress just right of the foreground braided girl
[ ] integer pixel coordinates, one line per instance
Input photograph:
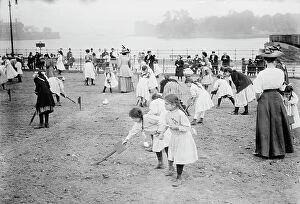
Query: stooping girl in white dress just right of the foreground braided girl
(201, 98)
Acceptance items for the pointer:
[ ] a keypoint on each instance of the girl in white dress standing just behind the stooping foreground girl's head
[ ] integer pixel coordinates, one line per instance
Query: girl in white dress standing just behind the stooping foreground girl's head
(142, 88)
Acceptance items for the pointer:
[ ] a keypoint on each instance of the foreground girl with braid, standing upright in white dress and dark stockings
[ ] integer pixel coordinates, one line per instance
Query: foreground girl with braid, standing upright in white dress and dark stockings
(182, 147)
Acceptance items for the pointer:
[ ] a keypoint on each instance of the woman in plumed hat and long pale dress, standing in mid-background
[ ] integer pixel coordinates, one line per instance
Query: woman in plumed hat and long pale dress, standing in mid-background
(125, 76)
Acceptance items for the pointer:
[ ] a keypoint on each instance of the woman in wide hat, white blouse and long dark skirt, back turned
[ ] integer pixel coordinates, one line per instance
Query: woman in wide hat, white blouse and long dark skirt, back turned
(273, 137)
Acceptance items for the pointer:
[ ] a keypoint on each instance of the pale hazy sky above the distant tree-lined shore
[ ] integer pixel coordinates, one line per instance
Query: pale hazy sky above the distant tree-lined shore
(118, 16)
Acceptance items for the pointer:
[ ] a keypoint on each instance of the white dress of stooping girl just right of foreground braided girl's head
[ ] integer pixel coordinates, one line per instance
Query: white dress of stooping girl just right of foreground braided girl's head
(203, 101)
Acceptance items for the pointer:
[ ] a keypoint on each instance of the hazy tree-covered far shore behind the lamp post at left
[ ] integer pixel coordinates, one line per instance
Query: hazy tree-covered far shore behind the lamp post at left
(21, 32)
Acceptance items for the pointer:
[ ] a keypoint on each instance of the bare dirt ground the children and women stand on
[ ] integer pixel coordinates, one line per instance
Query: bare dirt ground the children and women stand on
(54, 165)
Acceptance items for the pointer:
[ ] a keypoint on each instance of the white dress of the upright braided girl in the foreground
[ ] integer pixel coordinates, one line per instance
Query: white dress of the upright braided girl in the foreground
(182, 147)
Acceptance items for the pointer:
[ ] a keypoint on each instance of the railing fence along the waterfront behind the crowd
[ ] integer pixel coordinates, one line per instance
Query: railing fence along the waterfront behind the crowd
(166, 58)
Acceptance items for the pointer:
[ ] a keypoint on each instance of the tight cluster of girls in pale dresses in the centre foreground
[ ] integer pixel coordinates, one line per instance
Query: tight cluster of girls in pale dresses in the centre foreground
(169, 126)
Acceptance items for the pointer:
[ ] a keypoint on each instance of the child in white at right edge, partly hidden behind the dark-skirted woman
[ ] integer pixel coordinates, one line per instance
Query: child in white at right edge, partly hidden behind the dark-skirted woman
(290, 100)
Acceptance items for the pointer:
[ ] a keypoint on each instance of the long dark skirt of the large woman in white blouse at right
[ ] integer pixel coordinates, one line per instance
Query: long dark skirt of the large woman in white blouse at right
(273, 137)
